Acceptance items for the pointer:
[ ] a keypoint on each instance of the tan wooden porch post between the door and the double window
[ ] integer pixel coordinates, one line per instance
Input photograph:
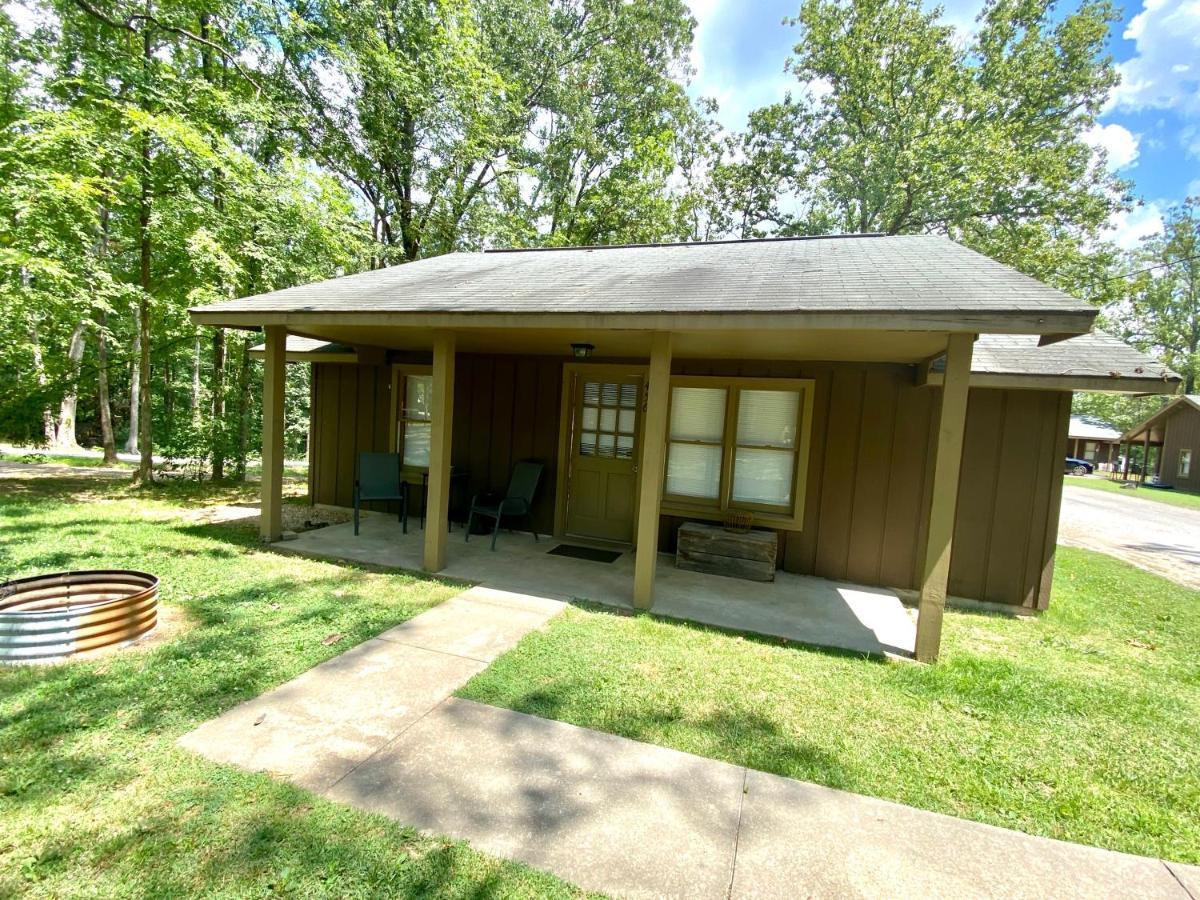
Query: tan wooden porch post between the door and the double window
(655, 455)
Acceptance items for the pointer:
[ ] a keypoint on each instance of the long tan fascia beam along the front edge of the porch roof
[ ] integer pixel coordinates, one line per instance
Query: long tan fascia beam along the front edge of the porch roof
(956, 321)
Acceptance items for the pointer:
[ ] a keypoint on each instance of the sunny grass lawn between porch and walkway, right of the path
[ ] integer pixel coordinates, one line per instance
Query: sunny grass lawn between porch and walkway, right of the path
(1082, 725)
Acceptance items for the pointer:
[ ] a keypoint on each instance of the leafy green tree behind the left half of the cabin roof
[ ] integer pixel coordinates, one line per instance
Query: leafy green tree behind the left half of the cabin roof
(463, 121)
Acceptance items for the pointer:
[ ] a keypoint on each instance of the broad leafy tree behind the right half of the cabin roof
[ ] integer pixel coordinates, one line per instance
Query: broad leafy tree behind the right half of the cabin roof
(899, 128)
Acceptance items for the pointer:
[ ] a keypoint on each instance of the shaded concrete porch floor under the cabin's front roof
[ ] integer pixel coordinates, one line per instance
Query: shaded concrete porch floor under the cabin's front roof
(795, 608)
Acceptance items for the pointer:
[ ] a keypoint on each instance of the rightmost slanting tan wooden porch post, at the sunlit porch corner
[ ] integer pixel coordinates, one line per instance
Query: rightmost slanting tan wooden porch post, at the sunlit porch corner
(944, 496)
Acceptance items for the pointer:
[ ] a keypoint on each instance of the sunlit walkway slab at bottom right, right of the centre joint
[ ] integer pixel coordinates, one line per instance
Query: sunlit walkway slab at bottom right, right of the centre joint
(842, 845)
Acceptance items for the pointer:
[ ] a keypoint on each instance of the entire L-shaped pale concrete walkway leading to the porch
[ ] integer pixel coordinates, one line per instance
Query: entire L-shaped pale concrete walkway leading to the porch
(377, 729)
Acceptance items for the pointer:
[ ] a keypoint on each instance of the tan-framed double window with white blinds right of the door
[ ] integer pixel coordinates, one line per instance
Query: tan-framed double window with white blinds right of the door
(737, 445)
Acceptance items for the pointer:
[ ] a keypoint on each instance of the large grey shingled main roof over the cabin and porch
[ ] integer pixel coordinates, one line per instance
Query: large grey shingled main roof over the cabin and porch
(923, 277)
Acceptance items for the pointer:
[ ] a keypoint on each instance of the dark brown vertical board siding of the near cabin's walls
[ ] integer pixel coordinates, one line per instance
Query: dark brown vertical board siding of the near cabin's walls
(868, 470)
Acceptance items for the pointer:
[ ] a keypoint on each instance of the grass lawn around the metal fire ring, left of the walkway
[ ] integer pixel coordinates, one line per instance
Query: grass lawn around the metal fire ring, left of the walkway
(95, 797)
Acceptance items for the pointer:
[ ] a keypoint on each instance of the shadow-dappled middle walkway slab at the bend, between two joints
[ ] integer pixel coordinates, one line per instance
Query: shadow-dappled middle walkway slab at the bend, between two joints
(603, 812)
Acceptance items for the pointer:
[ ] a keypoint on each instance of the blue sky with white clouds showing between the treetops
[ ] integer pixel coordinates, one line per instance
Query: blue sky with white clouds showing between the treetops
(1151, 127)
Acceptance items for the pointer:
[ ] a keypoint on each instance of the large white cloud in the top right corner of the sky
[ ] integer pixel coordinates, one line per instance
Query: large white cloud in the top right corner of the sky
(1166, 71)
